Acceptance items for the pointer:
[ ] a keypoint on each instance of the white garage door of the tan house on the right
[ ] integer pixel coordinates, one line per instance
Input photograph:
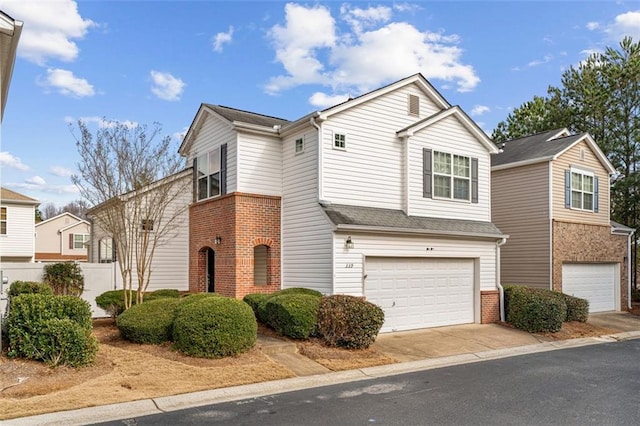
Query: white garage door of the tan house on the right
(594, 282)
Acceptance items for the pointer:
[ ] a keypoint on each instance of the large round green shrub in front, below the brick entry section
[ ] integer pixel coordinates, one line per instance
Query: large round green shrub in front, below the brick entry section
(214, 327)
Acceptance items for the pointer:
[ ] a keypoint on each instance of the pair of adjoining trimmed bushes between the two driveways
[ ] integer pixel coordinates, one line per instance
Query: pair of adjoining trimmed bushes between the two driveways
(539, 310)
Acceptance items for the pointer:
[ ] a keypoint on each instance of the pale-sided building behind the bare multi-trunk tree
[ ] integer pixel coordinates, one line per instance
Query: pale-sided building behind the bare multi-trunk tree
(169, 265)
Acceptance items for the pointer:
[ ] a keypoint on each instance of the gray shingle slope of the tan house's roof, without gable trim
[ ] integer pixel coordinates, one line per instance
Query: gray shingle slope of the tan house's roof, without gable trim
(533, 147)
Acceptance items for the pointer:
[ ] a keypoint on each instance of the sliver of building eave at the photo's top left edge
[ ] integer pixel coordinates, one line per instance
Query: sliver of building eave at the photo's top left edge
(10, 31)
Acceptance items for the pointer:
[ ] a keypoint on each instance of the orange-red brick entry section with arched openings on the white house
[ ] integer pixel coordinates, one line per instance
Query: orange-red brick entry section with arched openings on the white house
(242, 222)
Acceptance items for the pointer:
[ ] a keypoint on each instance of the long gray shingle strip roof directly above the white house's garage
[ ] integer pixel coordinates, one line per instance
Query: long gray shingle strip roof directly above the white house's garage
(371, 217)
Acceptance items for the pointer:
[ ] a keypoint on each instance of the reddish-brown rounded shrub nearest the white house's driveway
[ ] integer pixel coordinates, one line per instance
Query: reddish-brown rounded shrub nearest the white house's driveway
(348, 321)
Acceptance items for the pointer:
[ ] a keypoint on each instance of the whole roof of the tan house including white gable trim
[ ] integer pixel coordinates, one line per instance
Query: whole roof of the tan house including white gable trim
(545, 146)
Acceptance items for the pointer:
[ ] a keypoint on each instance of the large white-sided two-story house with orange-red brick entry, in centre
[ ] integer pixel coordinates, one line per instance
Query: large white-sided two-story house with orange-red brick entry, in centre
(385, 196)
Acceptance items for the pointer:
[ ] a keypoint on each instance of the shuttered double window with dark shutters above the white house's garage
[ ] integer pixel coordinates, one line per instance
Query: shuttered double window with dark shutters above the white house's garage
(449, 176)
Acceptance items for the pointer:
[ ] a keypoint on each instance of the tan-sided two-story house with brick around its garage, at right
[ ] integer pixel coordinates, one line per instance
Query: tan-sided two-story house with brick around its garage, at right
(550, 193)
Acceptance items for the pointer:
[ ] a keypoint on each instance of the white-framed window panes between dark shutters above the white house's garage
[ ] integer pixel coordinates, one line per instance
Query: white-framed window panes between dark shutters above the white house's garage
(451, 176)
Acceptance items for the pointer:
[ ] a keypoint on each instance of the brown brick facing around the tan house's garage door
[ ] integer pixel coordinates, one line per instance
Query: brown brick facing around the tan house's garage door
(584, 243)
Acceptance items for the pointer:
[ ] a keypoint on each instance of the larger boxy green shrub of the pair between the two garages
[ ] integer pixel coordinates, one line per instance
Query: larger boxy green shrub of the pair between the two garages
(534, 310)
